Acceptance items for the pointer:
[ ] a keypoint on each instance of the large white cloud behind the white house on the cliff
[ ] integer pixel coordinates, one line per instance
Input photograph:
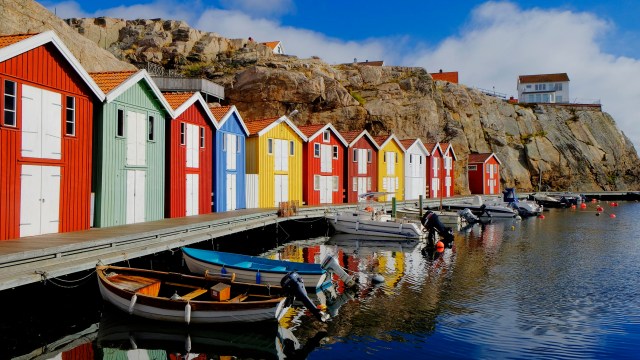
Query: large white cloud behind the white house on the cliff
(502, 41)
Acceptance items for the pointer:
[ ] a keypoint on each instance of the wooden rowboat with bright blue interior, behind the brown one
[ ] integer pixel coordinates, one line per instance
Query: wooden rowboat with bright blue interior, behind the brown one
(252, 269)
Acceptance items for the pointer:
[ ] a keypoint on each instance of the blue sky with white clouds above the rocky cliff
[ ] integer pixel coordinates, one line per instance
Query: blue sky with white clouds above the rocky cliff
(489, 43)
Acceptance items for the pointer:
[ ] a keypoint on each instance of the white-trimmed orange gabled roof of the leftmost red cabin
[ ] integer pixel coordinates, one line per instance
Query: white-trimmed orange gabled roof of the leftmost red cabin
(14, 45)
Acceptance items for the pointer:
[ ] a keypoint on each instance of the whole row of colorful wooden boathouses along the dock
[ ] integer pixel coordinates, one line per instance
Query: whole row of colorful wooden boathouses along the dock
(83, 149)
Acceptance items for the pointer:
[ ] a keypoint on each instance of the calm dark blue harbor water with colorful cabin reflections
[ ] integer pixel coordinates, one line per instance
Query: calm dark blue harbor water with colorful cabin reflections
(563, 287)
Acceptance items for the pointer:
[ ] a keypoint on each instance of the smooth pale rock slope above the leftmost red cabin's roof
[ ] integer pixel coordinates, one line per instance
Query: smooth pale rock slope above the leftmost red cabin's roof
(27, 16)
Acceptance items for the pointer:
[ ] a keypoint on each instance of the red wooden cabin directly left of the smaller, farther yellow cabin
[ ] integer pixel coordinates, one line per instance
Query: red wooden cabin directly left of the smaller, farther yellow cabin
(361, 164)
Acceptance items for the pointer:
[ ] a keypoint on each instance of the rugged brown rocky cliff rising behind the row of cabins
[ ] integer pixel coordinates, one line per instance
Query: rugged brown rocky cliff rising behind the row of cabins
(552, 147)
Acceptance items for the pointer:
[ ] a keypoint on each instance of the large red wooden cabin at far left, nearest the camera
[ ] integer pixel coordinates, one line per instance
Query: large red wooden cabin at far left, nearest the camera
(45, 137)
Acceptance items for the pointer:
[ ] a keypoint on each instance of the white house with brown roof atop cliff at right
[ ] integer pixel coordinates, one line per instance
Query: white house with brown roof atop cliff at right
(543, 88)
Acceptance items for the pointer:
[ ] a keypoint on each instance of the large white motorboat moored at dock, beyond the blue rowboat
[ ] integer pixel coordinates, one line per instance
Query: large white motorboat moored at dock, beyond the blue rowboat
(372, 222)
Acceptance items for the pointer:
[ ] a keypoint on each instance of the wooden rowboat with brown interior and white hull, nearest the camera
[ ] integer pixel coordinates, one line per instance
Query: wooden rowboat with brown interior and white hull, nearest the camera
(188, 299)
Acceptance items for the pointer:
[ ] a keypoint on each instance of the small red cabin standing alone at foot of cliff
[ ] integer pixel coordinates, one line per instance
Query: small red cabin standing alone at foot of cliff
(484, 174)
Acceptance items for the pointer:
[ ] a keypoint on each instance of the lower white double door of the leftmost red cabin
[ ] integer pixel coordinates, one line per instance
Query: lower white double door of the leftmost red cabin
(39, 200)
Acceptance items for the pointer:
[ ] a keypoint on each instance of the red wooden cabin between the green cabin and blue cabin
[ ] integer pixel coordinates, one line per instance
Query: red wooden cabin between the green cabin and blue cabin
(190, 156)
